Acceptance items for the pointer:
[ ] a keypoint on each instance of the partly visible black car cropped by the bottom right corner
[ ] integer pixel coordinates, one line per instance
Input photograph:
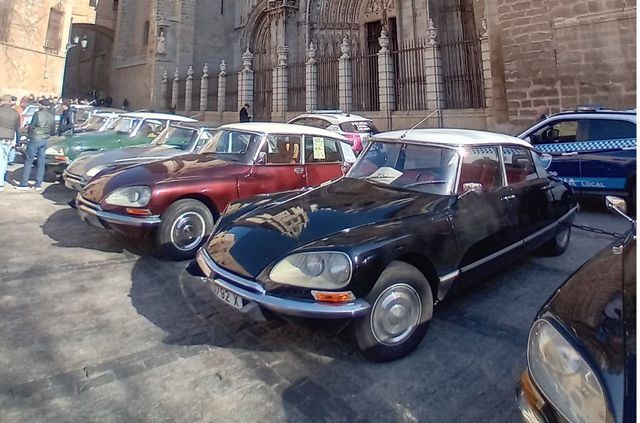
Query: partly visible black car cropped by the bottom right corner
(581, 355)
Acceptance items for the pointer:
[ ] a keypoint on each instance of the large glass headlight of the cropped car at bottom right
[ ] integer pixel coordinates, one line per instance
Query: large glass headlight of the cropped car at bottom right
(565, 378)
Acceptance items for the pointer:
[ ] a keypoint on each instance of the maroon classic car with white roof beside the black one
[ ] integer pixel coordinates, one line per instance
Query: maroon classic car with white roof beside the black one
(180, 198)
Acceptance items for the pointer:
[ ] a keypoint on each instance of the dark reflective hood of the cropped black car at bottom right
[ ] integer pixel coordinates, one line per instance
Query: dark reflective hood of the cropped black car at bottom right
(596, 309)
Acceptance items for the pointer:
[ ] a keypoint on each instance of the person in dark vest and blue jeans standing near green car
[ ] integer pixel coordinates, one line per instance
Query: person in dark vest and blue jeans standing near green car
(42, 127)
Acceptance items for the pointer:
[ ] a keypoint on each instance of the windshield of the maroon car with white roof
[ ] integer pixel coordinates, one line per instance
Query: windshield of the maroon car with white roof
(232, 145)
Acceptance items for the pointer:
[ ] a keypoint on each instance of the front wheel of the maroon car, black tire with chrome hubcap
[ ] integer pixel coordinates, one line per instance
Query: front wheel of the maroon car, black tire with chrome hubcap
(184, 218)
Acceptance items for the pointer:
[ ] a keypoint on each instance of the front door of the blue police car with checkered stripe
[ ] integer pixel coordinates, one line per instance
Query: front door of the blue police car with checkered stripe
(557, 137)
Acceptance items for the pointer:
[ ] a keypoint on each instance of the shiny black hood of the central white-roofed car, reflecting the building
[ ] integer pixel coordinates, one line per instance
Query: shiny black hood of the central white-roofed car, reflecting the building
(252, 241)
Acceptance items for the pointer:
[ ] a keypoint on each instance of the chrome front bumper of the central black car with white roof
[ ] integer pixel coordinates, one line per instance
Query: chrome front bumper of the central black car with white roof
(255, 292)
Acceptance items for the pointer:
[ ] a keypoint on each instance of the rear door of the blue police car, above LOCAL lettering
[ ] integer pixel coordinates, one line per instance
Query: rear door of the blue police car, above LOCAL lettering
(607, 154)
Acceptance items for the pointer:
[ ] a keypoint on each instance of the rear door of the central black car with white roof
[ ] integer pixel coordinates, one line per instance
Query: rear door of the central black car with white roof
(532, 194)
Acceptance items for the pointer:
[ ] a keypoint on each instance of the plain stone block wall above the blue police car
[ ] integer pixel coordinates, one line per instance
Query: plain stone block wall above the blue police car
(564, 53)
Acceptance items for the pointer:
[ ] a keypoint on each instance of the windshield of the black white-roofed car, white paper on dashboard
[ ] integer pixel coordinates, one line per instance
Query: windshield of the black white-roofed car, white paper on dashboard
(421, 168)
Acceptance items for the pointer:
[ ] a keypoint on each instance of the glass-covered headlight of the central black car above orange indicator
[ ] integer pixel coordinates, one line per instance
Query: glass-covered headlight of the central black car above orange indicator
(313, 270)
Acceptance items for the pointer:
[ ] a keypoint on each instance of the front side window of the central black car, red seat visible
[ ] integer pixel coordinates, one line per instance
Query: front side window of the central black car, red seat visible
(481, 165)
